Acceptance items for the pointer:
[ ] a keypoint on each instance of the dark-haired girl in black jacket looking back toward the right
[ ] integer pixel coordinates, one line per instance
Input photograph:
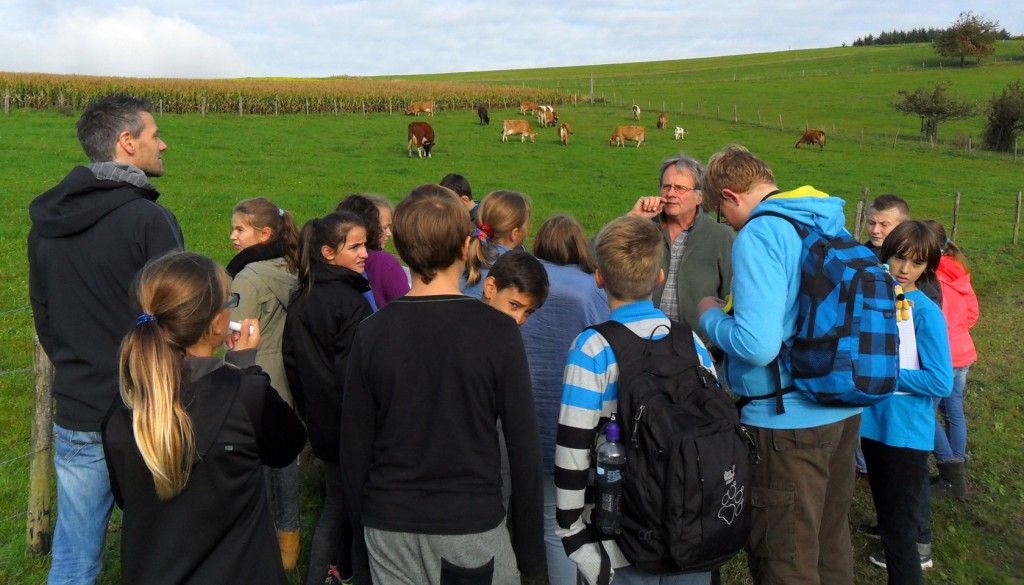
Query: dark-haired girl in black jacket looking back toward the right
(333, 298)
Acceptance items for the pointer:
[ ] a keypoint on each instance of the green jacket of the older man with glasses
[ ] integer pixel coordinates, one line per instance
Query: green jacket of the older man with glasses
(705, 269)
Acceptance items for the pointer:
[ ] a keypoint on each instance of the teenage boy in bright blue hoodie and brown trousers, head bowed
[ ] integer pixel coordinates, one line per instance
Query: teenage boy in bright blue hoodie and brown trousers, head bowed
(804, 484)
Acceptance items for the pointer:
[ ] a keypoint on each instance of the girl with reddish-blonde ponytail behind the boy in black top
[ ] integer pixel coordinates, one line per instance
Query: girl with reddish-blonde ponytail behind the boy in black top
(504, 224)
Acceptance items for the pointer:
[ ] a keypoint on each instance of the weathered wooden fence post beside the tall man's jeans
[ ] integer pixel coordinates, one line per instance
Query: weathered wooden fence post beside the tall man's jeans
(38, 525)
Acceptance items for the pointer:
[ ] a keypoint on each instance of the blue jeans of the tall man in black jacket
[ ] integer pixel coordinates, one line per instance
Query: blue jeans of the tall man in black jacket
(84, 505)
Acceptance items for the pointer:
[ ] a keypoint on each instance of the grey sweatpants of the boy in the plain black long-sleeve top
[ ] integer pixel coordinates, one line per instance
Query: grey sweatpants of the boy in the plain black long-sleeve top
(483, 559)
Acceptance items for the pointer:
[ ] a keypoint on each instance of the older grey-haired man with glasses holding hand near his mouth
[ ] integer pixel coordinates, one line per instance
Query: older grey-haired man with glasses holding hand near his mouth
(698, 248)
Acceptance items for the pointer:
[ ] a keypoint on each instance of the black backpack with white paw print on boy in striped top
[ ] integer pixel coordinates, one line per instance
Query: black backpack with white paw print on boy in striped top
(687, 487)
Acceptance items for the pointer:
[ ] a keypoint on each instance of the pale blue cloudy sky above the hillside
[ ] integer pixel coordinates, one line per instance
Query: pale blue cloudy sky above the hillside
(322, 38)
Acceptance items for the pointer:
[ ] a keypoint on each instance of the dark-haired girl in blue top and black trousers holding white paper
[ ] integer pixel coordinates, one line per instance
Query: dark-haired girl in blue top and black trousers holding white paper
(898, 435)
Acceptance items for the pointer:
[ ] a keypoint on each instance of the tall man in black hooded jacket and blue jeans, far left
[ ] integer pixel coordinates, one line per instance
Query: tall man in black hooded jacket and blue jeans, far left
(90, 236)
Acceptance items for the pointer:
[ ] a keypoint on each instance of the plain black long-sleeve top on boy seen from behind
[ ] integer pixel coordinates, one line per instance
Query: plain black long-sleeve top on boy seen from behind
(428, 382)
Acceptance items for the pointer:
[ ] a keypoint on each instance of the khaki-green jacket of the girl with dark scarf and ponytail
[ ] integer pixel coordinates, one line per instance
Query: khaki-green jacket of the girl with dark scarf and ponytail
(264, 288)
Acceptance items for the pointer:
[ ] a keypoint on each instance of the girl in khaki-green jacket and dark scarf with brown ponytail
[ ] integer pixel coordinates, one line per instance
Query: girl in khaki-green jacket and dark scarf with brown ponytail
(264, 274)
